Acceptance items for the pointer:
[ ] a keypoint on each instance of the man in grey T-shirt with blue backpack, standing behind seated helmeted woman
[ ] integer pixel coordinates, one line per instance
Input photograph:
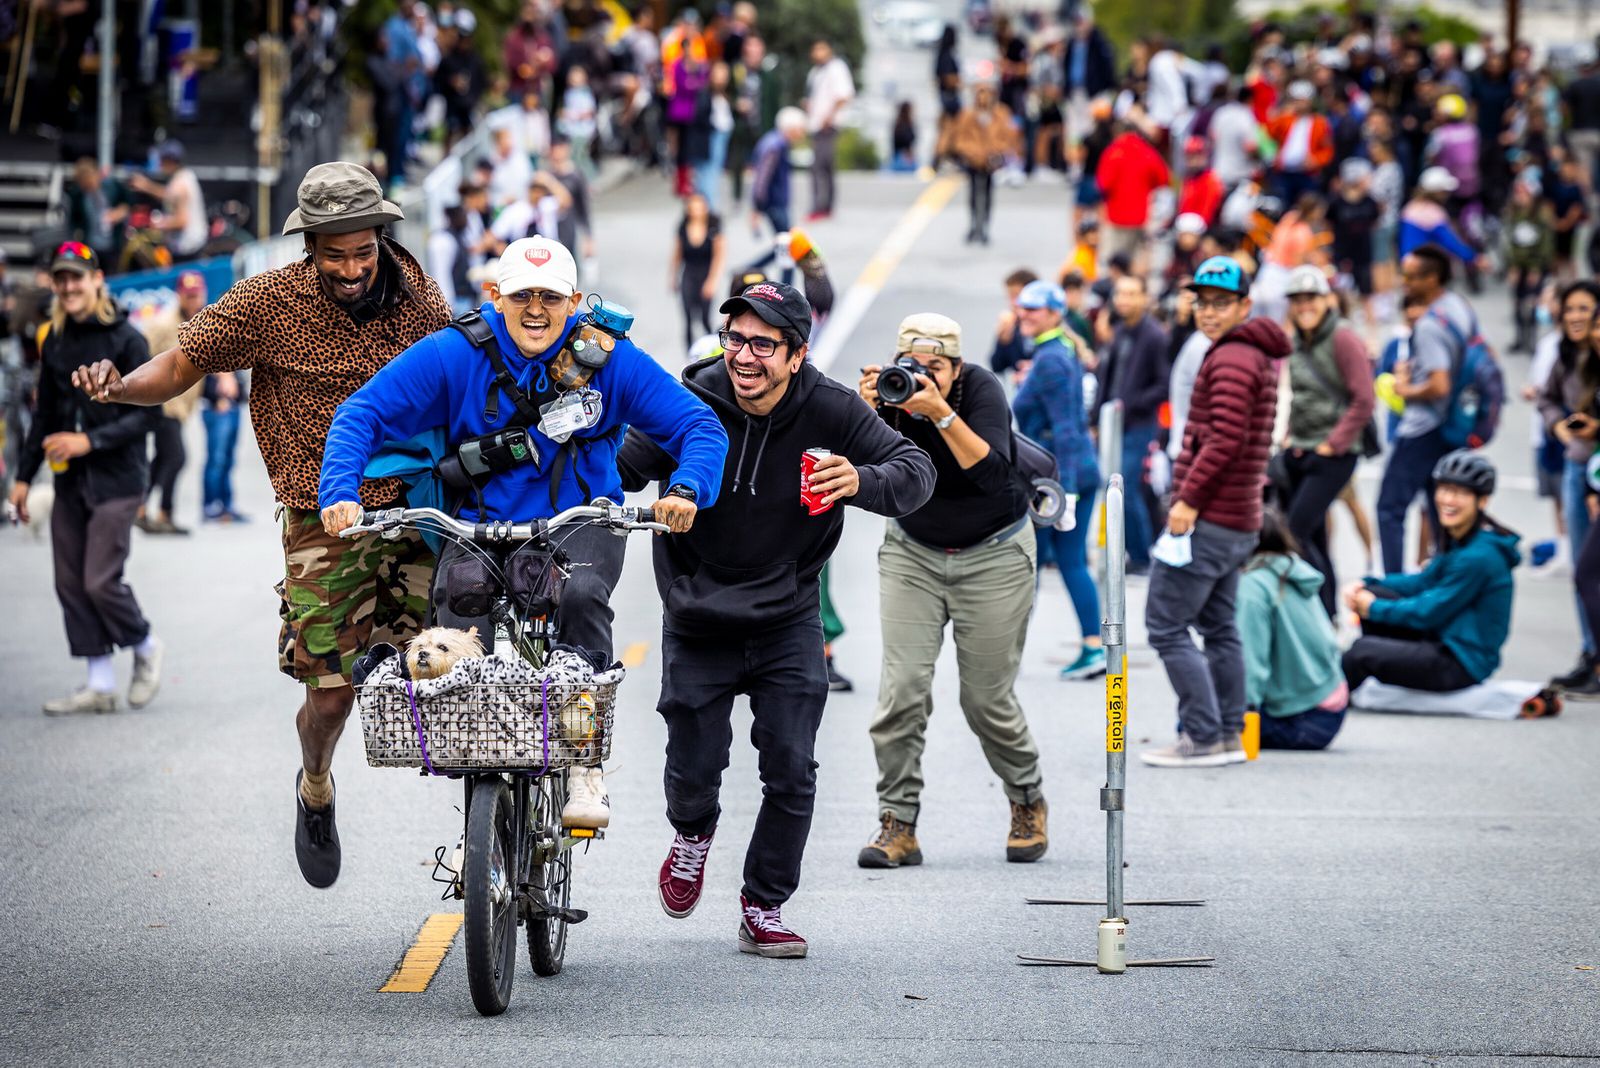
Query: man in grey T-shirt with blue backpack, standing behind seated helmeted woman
(1425, 383)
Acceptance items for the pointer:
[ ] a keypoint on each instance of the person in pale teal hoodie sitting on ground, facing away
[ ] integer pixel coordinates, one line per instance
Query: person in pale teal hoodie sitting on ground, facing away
(1292, 656)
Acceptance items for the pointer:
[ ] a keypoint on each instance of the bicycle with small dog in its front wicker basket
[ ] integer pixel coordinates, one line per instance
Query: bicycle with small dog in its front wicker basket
(516, 856)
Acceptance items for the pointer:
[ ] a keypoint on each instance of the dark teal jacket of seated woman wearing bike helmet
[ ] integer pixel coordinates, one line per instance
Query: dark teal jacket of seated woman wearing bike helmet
(1463, 597)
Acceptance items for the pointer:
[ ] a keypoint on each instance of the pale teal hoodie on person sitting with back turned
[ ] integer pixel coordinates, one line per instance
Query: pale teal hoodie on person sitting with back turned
(1292, 656)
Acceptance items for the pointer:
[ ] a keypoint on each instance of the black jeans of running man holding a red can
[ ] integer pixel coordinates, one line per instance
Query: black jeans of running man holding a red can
(786, 680)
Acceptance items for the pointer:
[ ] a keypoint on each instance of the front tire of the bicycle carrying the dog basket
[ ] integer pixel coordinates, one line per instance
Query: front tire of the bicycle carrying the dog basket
(490, 896)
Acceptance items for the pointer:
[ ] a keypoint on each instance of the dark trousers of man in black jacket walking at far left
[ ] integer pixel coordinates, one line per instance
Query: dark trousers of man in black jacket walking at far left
(90, 544)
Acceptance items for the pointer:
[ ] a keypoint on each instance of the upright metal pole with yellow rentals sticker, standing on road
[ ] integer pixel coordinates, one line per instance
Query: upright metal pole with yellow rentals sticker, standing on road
(1116, 640)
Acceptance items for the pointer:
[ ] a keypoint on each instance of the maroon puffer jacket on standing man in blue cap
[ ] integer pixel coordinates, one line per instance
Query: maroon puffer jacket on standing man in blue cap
(1228, 439)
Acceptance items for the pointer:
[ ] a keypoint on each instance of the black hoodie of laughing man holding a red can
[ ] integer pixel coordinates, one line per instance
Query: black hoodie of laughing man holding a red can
(753, 562)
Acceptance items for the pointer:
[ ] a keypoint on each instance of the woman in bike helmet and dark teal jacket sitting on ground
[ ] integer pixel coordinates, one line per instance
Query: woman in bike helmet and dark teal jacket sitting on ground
(1442, 629)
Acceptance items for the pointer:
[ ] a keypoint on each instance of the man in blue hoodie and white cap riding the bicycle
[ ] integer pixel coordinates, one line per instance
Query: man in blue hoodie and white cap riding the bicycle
(534, 402)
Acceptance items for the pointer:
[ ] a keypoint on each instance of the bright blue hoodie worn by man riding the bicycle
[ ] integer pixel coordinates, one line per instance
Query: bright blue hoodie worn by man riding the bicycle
(442, 381)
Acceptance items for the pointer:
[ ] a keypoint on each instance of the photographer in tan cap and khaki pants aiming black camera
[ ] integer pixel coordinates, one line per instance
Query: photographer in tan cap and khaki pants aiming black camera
(966, 559)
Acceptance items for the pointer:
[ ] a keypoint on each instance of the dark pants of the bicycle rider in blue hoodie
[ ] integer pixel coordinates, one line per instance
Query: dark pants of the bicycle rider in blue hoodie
(585, 616)
